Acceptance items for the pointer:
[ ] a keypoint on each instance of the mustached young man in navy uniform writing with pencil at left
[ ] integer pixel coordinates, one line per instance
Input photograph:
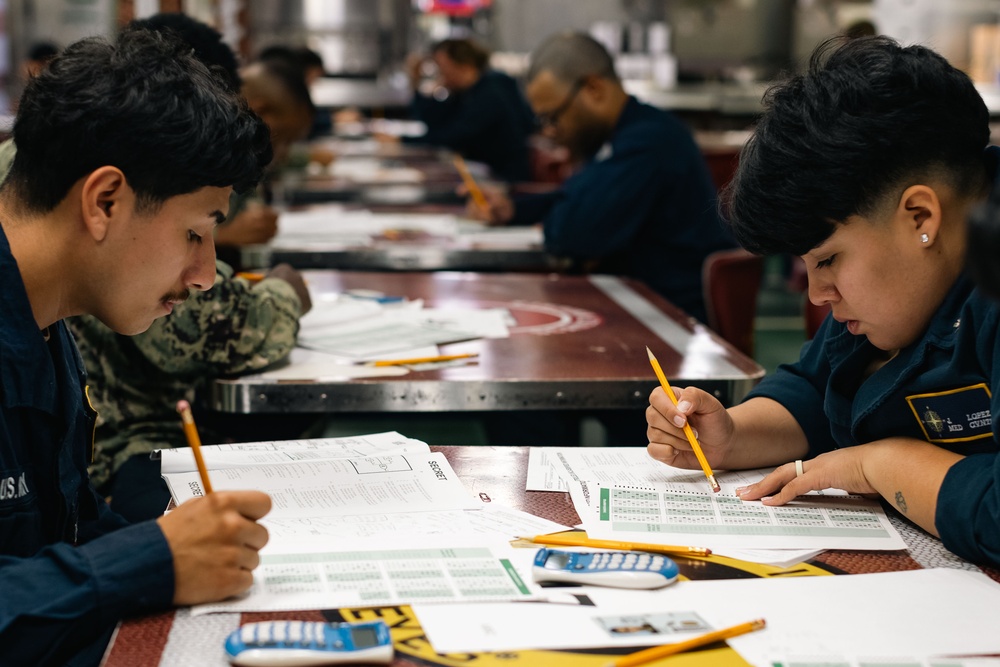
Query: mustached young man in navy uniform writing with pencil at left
(127, 156)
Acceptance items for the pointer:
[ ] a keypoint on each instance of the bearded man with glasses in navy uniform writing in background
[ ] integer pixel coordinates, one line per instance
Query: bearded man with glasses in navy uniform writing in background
(642, 202)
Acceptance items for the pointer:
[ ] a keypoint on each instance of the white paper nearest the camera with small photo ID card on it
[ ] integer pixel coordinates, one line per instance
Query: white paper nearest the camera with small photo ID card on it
(919, 613)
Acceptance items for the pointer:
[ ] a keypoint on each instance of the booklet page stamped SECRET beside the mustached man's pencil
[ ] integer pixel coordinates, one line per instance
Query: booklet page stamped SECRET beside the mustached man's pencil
(371, 485)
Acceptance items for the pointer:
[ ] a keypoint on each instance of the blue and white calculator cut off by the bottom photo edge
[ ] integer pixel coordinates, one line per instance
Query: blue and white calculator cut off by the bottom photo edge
(299, 643)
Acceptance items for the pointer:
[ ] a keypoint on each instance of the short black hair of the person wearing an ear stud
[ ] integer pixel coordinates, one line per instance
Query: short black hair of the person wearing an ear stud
(868, 118)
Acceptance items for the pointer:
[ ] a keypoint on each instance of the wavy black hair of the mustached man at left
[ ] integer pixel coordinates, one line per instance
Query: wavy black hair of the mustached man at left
(144, 104)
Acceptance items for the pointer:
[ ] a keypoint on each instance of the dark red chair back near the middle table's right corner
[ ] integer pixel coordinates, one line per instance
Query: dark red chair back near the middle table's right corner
(731, 280)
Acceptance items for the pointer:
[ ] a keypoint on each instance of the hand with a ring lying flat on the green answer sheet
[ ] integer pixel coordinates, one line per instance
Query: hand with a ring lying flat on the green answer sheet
(840, 469)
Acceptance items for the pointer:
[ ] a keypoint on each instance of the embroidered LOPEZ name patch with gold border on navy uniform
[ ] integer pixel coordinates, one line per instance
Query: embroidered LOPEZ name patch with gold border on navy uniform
(957, 415)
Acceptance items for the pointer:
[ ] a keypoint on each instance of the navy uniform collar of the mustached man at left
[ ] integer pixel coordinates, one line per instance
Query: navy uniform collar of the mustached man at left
(24, 356)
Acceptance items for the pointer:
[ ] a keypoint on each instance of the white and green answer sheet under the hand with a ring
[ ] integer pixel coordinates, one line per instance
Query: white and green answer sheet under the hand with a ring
(685, 512)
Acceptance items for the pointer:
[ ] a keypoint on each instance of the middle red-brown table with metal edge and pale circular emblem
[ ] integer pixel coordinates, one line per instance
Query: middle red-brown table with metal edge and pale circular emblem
(579, 344)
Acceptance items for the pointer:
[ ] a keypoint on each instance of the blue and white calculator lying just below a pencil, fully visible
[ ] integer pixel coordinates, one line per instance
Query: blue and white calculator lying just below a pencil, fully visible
(617, 569)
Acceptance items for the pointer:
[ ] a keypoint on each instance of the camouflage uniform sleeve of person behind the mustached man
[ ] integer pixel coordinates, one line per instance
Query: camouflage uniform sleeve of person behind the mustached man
(136, 381)
